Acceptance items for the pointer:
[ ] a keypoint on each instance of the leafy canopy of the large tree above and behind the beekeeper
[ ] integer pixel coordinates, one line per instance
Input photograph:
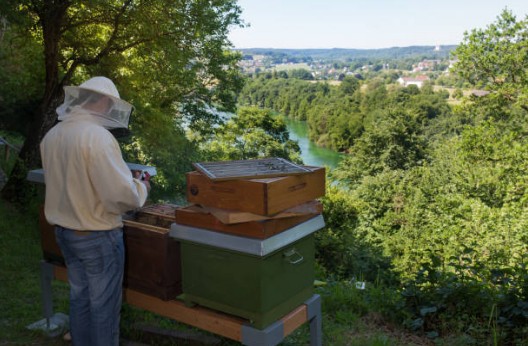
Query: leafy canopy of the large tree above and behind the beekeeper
(168, 58)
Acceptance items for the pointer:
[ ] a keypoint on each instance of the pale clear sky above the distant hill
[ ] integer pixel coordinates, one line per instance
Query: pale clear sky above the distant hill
(365, 23)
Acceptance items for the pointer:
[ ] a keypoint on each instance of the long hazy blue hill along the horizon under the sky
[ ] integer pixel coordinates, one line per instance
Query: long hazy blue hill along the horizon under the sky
(428, 52)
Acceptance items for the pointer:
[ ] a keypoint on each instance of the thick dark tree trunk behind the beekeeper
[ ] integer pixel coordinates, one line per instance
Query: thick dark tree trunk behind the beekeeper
(17, 188)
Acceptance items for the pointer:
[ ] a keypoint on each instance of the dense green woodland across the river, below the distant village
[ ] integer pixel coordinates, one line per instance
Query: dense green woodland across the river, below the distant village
(338, 115)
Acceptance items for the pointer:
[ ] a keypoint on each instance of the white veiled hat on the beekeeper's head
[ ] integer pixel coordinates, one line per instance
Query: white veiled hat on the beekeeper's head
(99, 97)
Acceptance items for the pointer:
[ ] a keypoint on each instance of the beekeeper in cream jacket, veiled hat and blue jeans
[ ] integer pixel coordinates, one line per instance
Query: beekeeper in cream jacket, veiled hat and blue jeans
(88, 188)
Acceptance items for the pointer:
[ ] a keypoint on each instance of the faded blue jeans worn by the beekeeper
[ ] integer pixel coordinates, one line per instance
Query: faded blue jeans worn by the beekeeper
(95, 262)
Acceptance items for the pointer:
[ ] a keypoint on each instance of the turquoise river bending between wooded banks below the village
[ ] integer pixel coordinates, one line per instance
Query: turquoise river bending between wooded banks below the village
(311, 154)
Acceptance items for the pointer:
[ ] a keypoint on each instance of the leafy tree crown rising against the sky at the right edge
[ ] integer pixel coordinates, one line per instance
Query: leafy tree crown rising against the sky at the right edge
(494, 59)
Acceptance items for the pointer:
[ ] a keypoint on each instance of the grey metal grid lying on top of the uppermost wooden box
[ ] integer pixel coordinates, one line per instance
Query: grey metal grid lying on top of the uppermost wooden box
(252, 169)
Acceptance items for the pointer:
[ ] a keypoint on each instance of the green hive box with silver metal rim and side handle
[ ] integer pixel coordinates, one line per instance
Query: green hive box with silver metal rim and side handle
(261, 280)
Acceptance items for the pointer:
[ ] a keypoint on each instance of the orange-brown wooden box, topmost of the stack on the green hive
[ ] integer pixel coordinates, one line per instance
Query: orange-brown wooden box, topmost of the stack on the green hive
(266, 196)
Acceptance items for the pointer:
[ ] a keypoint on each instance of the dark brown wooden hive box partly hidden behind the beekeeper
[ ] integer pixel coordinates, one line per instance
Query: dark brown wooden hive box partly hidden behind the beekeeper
(152, 262)
